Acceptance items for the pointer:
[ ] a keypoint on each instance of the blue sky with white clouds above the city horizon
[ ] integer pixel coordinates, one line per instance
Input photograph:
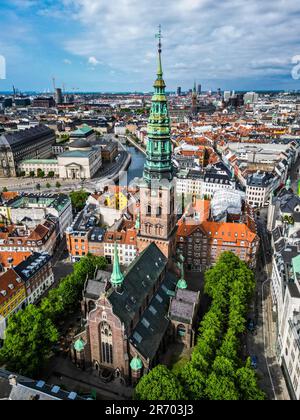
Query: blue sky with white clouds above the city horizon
(109, 45)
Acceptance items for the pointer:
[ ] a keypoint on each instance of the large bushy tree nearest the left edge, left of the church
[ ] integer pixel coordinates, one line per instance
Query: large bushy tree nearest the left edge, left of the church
(29, 338)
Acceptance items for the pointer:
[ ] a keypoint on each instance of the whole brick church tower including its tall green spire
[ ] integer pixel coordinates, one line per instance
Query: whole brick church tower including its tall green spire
(157, 218)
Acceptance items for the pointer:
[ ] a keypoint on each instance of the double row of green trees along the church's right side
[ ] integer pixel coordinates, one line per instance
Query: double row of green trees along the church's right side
(214, 371)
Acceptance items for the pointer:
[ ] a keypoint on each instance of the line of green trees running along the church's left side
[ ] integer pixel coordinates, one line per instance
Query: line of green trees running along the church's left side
(32, 332)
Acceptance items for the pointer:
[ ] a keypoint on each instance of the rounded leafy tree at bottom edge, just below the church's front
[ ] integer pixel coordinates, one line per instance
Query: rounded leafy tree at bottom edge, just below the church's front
(159, 384)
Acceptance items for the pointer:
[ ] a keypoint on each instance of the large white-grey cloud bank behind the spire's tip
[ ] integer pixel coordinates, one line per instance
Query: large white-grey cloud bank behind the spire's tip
(202, 39)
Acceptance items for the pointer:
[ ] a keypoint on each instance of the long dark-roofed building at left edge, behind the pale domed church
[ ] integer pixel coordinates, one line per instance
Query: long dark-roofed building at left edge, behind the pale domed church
(33, 143)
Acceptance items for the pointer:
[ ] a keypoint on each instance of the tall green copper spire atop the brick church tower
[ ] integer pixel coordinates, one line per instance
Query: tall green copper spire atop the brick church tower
(158, 164)
